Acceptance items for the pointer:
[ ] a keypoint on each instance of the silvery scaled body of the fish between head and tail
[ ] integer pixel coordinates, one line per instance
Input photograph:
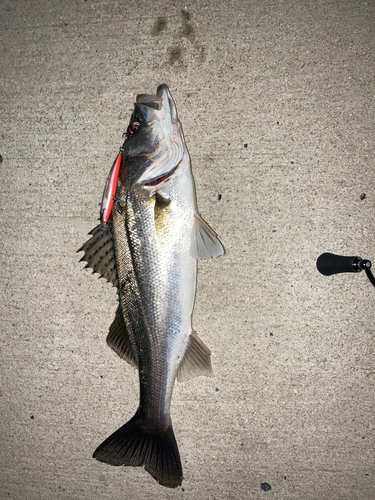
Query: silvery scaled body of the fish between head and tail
(158, 315)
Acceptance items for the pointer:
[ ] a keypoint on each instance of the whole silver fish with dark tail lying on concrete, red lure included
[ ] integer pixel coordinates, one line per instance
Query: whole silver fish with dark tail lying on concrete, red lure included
(148, 249)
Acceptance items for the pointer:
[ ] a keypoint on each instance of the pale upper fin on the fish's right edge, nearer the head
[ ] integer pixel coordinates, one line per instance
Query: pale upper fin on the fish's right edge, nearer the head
(205, 241)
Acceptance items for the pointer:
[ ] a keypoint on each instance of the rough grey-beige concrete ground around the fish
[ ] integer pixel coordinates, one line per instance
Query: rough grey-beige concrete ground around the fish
(277, 103)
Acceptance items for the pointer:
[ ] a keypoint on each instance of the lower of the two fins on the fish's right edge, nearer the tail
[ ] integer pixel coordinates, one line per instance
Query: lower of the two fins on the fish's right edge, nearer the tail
(196, 361)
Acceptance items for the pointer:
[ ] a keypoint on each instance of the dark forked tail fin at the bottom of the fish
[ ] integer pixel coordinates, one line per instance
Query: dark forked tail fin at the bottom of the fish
(130, 445)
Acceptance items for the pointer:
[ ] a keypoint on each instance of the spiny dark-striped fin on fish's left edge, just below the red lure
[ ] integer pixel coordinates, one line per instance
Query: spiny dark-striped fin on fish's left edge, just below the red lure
(100, 254)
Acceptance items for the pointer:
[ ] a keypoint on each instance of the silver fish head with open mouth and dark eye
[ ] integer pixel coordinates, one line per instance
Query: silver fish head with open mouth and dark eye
(154, 144)
